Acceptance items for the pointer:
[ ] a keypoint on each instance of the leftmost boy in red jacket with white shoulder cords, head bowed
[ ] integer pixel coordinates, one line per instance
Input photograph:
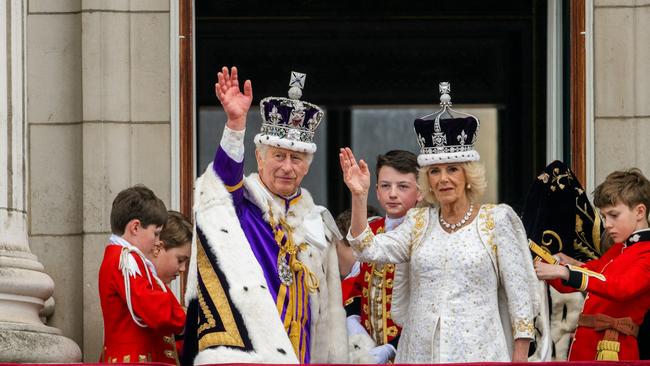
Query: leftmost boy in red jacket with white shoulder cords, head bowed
(140, 312)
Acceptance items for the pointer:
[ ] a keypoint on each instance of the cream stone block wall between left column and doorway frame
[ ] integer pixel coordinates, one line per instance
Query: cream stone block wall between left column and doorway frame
(98, 87)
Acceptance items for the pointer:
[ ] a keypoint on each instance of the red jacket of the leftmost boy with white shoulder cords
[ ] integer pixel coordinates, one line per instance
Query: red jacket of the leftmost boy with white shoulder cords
(124, 340)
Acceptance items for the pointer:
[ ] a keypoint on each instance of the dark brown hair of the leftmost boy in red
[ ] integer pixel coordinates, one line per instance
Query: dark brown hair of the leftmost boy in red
(137, 202)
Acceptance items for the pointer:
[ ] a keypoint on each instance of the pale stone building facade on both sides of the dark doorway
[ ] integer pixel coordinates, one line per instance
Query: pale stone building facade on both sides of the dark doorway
(87, 108)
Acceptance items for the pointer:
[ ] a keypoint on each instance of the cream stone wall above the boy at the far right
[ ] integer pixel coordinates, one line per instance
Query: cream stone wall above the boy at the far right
(621, 85)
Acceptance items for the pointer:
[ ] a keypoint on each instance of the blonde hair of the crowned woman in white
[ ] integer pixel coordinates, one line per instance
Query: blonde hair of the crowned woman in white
(474, 176)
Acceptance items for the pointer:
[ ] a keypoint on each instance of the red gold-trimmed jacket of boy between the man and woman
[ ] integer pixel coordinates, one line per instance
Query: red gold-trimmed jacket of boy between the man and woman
(378, 323)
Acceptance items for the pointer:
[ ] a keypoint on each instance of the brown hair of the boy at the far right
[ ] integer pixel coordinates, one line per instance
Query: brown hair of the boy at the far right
(625, 186)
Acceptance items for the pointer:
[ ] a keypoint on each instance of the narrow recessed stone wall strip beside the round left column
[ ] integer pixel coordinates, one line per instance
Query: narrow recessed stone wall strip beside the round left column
(54, 101)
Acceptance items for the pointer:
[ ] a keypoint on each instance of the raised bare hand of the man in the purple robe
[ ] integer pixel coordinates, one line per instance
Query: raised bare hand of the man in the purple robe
(235, 103)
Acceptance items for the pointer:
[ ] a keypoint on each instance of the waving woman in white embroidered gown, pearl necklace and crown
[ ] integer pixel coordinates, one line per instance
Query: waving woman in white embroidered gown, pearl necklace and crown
(472, 291)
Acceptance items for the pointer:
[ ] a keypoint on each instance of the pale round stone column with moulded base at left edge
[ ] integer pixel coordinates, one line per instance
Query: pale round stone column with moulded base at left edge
(24, 286)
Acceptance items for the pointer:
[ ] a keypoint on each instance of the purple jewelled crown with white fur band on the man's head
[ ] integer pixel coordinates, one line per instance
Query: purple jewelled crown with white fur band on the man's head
(290, 123)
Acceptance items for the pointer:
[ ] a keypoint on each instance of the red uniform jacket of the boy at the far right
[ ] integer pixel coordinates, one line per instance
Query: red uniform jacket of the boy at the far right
(622, 291)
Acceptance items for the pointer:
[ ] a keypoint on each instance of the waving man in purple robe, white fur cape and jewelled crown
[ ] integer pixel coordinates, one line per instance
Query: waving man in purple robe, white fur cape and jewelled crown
(263, 283)
